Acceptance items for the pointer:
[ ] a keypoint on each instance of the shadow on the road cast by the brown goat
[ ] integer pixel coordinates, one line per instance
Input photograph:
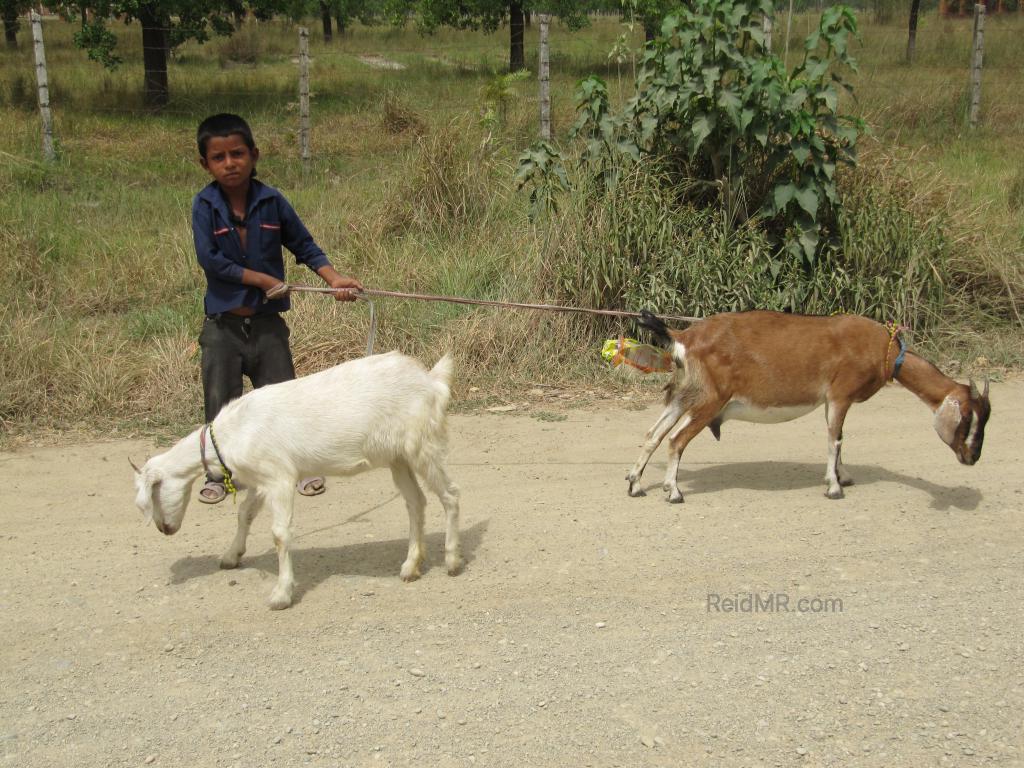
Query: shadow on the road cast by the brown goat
(788, 476)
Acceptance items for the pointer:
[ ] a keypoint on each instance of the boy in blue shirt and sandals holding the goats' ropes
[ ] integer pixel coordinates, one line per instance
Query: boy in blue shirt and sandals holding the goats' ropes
(239, 226)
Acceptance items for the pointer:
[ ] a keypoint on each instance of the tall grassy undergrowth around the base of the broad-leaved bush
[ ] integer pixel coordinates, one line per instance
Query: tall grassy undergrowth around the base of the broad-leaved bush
(637, 247)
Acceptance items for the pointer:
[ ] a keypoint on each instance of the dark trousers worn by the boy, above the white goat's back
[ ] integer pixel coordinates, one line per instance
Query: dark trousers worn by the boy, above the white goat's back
(234, 348)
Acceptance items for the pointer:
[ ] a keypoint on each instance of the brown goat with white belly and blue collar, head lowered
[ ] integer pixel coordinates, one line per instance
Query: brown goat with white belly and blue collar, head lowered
(772, 367)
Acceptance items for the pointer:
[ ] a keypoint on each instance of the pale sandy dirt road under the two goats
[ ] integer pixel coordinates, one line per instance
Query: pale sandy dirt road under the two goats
(580, 633)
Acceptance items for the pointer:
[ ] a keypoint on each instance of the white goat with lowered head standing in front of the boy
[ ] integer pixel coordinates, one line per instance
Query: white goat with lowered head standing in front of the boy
(382, 411)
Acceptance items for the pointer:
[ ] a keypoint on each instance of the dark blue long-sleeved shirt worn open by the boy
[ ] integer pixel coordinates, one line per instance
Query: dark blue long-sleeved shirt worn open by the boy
(271, 223)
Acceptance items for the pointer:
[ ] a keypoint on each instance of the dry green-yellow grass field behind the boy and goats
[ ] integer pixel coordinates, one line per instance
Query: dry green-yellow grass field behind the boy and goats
(410, 189)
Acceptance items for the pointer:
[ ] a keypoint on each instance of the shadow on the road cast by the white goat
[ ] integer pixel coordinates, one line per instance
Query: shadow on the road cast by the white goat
(314, 566)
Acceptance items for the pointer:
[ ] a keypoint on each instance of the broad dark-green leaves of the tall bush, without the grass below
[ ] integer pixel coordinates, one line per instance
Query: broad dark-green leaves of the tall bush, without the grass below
(720, 113)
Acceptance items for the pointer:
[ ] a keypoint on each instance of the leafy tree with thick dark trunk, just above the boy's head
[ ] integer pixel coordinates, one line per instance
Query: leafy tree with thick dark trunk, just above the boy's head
(166, 24)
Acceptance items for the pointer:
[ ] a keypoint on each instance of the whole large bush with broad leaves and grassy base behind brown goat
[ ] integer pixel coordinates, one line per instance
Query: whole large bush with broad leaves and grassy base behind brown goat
(712, 191)
